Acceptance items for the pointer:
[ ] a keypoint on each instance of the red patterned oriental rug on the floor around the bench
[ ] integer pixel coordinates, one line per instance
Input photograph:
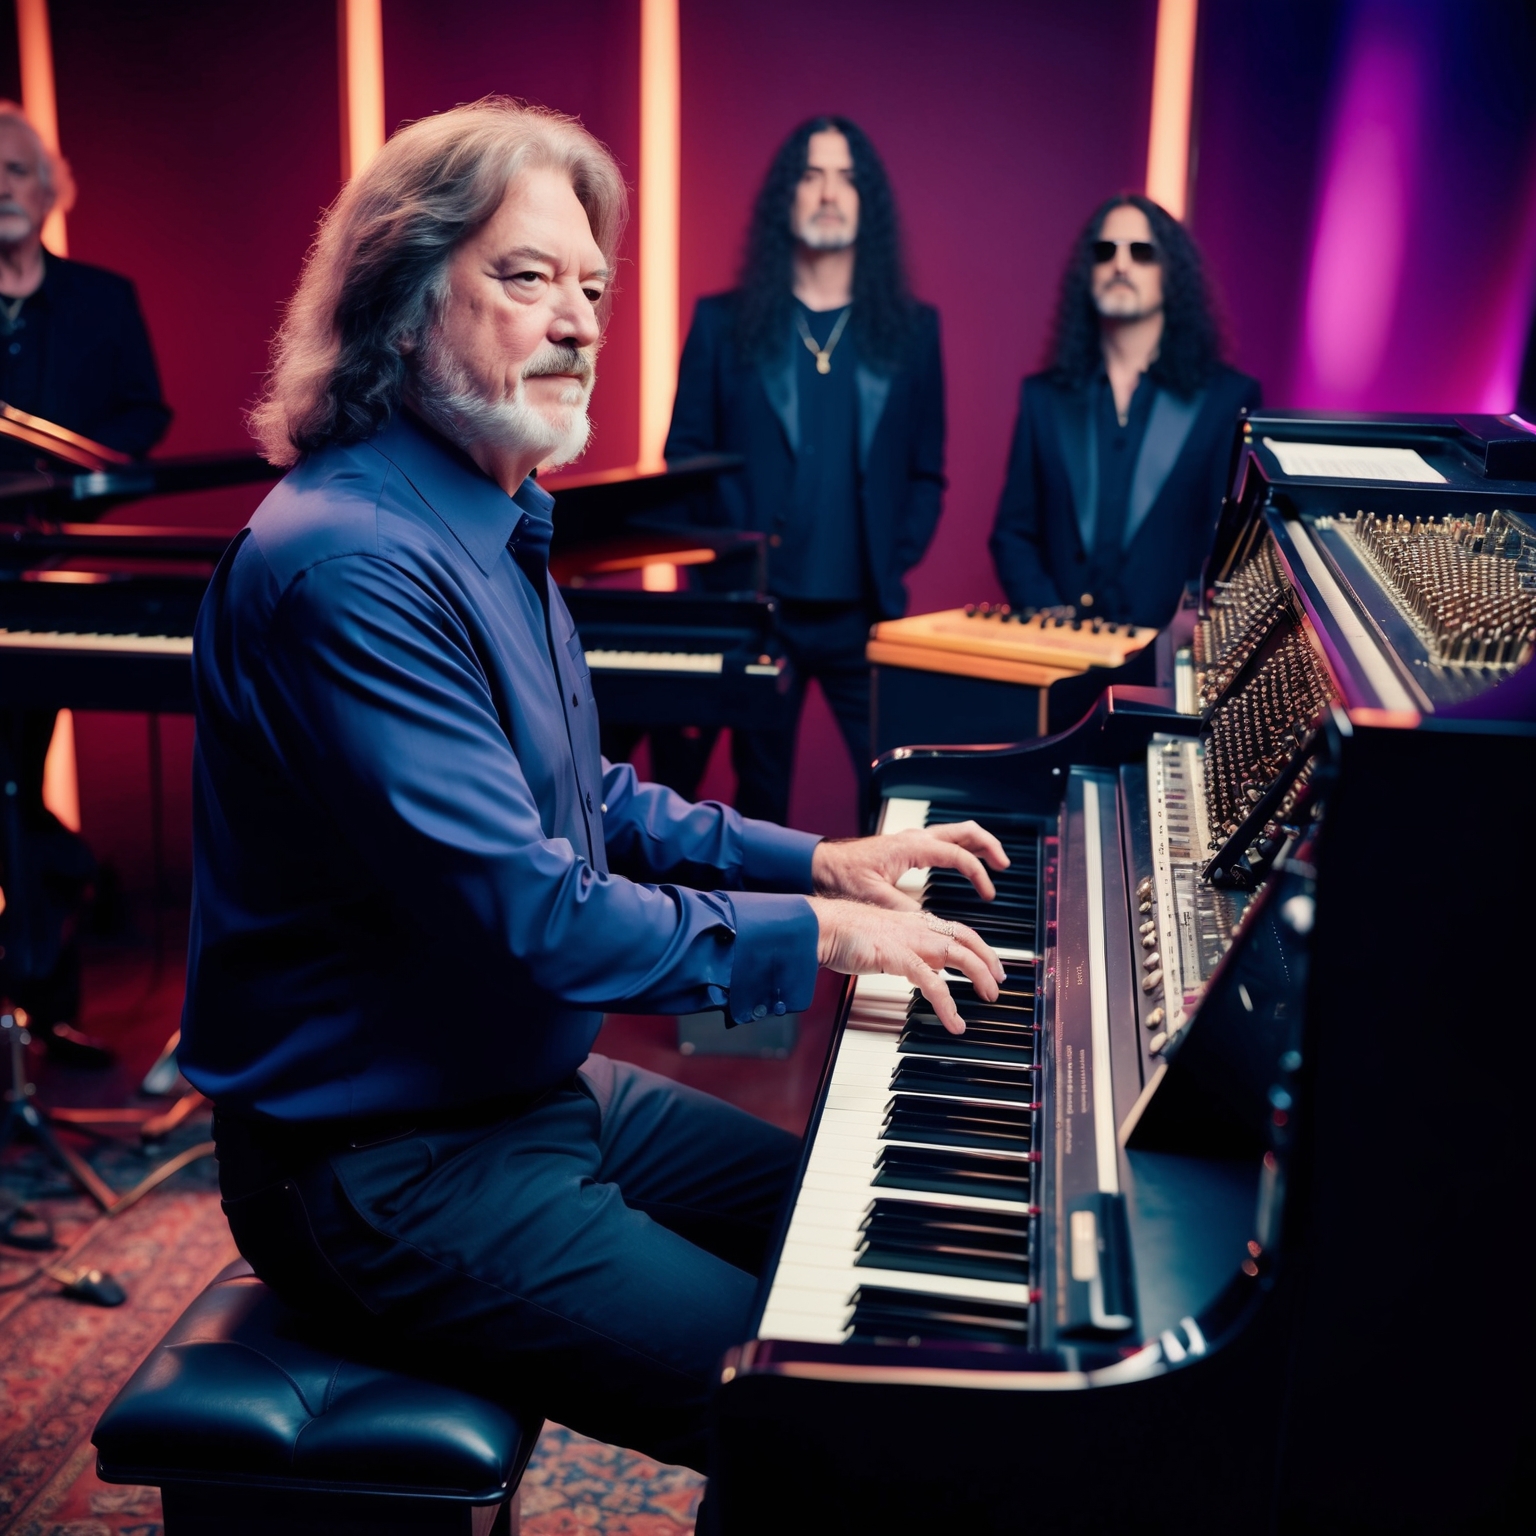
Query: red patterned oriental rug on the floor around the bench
(62, 1362)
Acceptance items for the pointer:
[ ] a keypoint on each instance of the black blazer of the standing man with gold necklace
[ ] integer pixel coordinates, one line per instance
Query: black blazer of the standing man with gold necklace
(730, 406)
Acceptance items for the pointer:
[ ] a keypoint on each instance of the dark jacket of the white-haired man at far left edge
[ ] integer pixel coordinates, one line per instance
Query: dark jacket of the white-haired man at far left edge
(99, 369)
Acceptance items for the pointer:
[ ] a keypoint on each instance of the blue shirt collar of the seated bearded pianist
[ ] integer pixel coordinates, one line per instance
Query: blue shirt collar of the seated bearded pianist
(474, 508)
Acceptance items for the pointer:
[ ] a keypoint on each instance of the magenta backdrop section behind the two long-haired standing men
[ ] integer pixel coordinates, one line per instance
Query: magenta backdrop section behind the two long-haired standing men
(1002, 127)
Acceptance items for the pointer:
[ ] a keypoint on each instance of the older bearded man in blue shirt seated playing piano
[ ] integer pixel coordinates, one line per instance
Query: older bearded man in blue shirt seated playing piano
(419, 886)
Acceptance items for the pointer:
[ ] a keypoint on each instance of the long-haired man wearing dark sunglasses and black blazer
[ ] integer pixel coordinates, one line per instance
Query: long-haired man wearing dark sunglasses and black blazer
(1121, 454)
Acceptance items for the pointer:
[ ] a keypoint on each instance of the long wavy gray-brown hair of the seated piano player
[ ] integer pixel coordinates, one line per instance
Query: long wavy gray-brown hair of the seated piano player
(377, 276)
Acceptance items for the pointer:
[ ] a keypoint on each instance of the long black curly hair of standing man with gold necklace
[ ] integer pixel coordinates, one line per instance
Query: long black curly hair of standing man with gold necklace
(884, 308)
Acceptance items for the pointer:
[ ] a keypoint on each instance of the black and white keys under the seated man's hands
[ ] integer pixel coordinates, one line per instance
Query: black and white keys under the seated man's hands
(916, 1210)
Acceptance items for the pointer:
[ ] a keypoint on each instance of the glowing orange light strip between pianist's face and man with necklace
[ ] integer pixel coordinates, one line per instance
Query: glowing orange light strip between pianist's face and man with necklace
(661, 176)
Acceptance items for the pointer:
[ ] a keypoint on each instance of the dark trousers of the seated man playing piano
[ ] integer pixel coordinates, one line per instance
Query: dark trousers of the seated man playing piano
(588, 1259)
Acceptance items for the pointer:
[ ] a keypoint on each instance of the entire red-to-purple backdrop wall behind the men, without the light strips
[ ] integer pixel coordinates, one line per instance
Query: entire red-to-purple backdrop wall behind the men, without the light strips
(205, 137)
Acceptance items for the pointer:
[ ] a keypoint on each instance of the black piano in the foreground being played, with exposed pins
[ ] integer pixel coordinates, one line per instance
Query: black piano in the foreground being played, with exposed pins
(1210, 1222)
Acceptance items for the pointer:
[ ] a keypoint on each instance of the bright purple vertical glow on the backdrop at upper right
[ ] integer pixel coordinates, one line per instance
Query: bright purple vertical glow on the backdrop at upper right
(1362, 233)
